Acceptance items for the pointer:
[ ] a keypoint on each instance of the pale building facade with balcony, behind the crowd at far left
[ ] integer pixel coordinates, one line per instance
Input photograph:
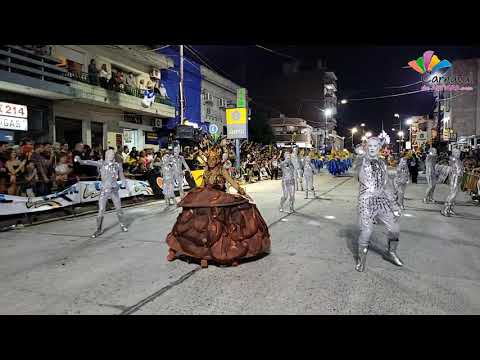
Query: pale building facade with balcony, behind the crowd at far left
(67, 105)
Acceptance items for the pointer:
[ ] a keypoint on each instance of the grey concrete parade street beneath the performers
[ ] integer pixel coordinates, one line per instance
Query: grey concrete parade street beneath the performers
(56, 268)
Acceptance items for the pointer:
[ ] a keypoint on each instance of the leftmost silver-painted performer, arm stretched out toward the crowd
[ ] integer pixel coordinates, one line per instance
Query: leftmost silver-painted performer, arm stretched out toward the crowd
(110, 172)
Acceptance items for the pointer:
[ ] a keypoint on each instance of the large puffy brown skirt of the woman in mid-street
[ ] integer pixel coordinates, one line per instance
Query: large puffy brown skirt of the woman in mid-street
(218, 227)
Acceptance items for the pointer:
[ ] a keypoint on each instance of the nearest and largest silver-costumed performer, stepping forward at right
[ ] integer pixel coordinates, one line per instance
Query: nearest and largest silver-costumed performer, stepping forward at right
(376, 200)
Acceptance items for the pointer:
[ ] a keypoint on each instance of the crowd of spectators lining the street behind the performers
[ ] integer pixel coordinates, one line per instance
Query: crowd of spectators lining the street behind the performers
(37, 169)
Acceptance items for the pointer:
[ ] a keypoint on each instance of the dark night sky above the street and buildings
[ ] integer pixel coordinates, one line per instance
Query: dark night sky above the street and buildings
(361, 72)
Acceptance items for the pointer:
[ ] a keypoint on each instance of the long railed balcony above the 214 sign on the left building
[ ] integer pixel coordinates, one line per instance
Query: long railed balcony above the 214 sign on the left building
(24, 71)
